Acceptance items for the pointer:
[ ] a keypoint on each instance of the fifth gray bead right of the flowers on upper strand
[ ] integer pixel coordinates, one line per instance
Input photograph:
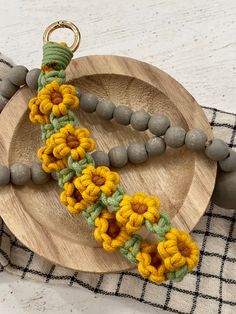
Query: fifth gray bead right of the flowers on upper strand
(158, 124)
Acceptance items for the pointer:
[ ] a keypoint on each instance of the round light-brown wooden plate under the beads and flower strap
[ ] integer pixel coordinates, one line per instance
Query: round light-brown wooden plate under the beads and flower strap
(183, 180)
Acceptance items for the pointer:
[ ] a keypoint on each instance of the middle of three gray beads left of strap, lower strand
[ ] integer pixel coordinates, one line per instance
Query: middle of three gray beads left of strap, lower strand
(20, 174)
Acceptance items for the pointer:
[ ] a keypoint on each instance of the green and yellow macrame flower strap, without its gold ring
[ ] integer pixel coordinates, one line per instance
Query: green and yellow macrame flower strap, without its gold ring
(95, 191)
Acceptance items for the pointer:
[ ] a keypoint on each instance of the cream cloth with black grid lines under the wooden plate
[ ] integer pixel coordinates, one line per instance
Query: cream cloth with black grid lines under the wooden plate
(210, 288)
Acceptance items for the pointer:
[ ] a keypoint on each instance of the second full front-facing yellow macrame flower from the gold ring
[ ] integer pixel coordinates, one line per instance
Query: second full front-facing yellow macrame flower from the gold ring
(70, 140)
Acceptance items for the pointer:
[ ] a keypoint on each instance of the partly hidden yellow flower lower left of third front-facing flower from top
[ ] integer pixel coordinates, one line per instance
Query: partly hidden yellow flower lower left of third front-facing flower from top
(73, 199)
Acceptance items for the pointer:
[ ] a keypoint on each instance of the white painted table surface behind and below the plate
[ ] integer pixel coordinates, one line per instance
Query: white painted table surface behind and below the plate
(193, 40)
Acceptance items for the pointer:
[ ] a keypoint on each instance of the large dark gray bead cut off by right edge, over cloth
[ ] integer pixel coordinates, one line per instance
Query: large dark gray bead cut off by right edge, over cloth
(224, 194)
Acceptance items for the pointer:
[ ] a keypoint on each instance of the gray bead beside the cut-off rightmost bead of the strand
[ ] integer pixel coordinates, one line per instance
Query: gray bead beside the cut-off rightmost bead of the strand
(218, 150)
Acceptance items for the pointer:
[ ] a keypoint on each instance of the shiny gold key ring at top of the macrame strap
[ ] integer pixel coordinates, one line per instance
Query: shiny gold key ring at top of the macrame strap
(64, 24)
